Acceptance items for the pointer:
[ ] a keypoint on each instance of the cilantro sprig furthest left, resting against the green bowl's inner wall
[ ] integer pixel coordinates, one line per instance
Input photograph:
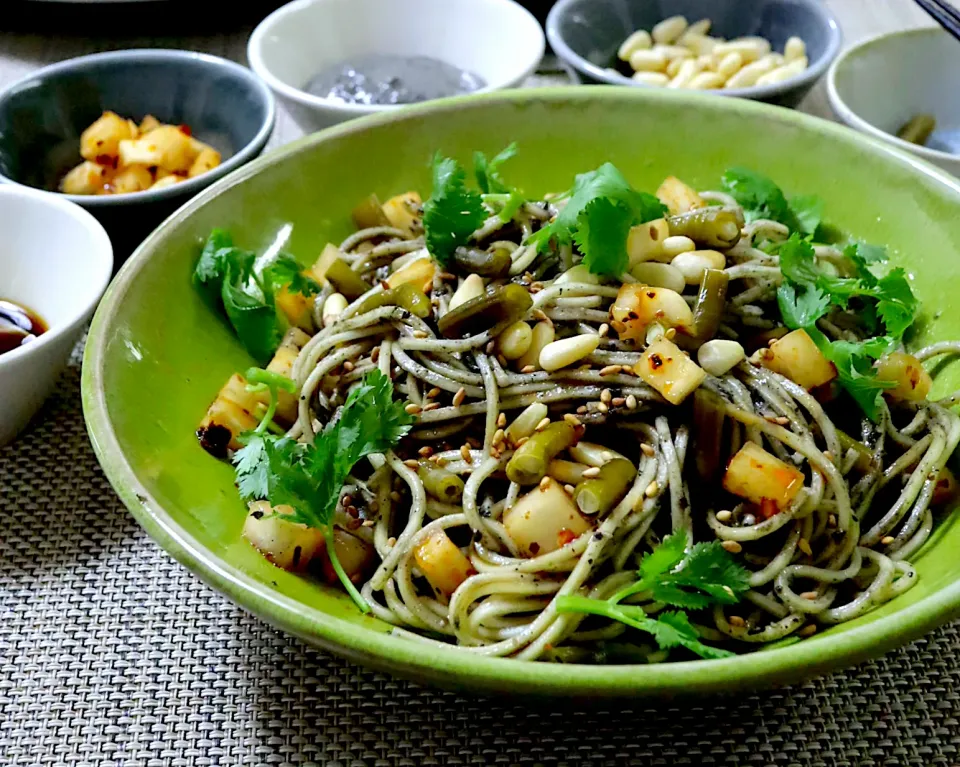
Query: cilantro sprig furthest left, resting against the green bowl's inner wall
(230, 278)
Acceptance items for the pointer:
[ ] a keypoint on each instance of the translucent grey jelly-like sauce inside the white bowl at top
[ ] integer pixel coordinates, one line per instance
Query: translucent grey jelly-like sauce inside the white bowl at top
(384, 79)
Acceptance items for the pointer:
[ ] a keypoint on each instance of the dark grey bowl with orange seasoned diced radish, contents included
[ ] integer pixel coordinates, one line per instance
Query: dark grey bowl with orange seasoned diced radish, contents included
(131, 135)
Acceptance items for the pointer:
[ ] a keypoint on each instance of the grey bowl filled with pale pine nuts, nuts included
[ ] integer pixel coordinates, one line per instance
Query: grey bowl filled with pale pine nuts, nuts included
(768, 50)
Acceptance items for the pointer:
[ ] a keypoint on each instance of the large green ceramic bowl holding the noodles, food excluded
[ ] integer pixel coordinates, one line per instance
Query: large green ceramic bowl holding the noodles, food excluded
(156, 355)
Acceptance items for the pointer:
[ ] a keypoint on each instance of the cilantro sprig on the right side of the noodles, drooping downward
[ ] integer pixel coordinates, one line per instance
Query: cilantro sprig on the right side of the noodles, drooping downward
(808, 293)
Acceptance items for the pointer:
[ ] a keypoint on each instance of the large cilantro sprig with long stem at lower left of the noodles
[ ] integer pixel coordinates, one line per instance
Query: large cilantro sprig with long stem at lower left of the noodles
(308, 477)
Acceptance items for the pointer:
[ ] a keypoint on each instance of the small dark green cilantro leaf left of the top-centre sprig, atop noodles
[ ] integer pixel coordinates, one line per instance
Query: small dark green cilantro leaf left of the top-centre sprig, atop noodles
(453, 211)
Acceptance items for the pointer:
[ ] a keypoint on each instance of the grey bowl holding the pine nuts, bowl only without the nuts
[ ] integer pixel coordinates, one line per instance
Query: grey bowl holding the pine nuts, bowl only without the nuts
(586, 34)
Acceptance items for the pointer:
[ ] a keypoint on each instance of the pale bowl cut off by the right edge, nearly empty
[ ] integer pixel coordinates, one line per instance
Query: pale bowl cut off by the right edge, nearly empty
(878, 85)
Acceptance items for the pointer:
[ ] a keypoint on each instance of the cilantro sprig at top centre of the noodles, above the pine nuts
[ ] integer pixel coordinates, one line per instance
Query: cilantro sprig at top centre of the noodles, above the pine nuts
(600, 210)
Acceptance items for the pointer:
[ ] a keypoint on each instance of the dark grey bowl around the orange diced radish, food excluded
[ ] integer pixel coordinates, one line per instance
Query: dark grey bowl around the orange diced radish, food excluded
(43, 115)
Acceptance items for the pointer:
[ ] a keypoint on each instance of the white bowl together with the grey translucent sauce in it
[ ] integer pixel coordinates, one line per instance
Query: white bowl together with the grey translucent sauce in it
(333, 60)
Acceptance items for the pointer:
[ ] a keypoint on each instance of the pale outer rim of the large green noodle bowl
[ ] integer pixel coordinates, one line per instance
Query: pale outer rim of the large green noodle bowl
(454, 667)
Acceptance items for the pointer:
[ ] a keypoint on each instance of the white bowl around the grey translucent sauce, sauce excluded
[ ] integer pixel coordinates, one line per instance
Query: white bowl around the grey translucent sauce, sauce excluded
(498, 40)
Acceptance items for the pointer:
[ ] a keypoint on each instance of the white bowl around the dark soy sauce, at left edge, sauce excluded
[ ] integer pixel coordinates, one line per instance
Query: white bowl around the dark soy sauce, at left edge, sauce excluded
(55, 259)
